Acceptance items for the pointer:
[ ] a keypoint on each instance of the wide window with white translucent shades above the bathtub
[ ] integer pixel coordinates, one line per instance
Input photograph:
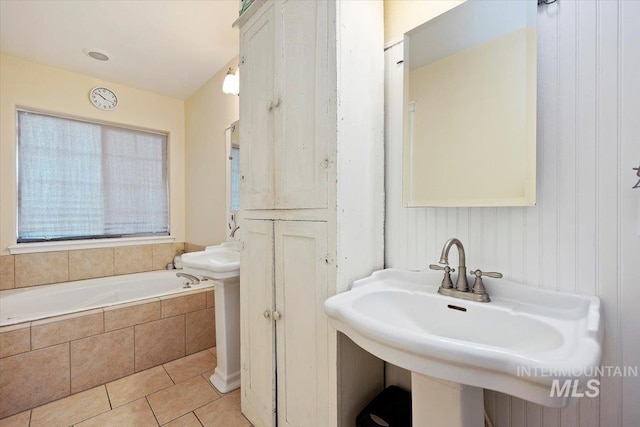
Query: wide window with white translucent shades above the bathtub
(81, 180)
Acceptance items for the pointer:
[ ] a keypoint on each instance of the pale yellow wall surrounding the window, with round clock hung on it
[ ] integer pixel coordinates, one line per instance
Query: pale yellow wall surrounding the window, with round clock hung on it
(30, 85)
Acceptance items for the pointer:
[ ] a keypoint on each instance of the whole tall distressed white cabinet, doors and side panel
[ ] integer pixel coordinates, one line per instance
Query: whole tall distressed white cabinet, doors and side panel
(311, 107)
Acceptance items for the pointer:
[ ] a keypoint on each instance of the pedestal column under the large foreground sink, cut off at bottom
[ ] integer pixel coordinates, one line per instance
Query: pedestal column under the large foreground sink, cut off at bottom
(440, 403)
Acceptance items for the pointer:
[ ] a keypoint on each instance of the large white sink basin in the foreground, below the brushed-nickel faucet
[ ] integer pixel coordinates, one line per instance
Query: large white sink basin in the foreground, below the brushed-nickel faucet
(518, 343)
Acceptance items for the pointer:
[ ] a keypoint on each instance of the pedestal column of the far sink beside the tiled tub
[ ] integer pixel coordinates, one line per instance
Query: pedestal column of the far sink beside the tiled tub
(226, 377)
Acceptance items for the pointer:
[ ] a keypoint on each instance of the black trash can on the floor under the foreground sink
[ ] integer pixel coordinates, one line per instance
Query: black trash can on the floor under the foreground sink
(391, 408)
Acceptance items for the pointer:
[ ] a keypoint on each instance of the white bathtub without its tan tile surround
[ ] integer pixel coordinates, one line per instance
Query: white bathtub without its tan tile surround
(34, 303)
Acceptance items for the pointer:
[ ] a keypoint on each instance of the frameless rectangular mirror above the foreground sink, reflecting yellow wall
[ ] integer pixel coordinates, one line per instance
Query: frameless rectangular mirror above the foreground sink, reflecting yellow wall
(470, 107)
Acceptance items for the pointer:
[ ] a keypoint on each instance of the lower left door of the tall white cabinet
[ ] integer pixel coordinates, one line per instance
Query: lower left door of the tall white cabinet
(256, 325)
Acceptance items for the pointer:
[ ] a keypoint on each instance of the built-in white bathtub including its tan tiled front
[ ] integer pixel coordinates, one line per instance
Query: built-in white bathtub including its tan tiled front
(61, 339)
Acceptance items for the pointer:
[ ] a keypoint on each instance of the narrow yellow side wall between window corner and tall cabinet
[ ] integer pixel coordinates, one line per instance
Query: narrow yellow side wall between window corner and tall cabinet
(208, 112)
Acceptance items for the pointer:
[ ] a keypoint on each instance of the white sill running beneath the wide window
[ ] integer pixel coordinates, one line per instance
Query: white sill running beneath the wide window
(28, 248)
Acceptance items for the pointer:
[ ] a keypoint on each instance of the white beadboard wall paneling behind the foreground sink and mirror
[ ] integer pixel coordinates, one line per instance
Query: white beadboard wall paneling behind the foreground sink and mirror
(583, 235)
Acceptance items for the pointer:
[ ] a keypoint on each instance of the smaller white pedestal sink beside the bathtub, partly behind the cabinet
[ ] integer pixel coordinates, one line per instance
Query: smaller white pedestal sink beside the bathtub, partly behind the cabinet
(222, 265)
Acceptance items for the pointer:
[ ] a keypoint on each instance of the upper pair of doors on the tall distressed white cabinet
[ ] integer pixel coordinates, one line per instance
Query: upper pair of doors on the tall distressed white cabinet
(285, 60)
